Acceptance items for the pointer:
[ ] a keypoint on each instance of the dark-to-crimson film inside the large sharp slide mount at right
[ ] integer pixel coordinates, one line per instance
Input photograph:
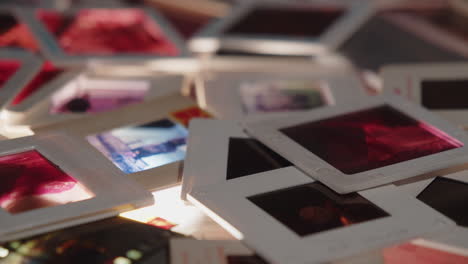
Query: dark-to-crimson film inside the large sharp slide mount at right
(370, 139)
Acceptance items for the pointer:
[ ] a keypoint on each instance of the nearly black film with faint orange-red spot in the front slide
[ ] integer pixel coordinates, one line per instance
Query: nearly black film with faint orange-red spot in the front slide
(314, 208)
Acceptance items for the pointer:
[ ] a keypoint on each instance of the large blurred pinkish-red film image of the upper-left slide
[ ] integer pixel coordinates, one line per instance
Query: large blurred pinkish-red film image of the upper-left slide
(107, 31)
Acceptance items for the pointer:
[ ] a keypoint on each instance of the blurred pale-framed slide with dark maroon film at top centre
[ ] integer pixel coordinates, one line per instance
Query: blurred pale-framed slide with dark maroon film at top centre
(282, 28)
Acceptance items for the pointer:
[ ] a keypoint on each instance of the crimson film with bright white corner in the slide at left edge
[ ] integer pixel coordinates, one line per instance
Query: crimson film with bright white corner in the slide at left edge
(30, 181)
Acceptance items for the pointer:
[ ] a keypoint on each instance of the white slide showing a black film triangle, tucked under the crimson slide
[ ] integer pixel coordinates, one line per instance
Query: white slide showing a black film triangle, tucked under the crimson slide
(219, 151)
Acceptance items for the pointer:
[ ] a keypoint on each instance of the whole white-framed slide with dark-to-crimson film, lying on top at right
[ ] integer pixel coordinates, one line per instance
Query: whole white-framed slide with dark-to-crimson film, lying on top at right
(363, 145)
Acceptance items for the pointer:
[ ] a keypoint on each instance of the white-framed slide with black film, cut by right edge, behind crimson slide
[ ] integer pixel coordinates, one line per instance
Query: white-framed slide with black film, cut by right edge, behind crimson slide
(441, 88)
